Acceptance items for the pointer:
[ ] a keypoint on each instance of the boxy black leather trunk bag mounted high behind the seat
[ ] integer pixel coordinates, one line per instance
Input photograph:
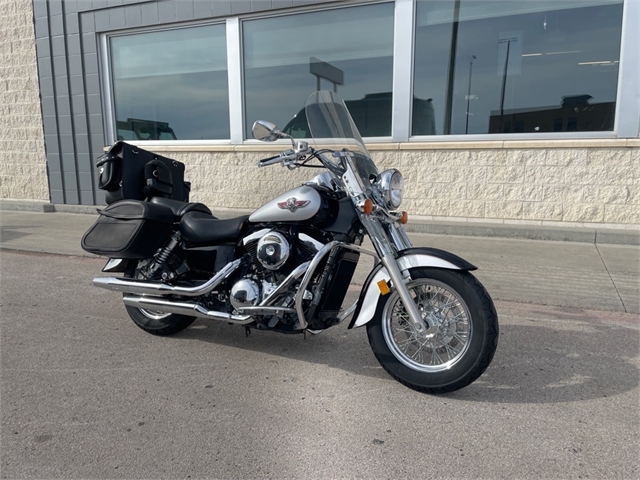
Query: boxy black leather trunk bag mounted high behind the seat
(130, 172)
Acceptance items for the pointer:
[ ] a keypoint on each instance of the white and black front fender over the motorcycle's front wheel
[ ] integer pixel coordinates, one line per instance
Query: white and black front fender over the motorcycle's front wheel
(407, 259)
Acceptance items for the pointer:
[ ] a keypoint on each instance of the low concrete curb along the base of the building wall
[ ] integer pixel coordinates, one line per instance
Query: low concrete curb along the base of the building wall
(466, 229)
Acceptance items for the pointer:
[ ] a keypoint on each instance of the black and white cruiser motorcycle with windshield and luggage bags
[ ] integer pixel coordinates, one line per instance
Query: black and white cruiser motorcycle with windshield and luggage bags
(287, 266)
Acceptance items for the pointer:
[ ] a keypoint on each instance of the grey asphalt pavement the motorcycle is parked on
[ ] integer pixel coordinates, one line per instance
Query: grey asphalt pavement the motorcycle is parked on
(86, 394)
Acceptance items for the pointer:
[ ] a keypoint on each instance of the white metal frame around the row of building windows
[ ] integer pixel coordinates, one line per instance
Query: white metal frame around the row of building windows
(626, 122)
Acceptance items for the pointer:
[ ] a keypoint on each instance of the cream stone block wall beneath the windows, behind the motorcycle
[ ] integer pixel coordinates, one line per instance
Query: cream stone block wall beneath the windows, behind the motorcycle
(582, 184)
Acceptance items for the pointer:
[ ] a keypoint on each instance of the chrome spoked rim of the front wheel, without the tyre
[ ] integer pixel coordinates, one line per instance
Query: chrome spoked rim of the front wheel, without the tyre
(442, 309)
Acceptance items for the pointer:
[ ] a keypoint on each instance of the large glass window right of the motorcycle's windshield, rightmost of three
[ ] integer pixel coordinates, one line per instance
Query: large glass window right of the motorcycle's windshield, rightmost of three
(491, 66)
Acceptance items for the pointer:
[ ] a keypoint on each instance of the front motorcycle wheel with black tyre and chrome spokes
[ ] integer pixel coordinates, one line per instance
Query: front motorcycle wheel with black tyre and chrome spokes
(462, 332)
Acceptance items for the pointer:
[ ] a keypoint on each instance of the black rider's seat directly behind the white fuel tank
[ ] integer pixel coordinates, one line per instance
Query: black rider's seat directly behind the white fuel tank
(201, 228)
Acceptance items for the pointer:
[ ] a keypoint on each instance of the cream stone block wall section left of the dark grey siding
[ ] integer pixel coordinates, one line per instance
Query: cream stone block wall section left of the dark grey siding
(23, 171)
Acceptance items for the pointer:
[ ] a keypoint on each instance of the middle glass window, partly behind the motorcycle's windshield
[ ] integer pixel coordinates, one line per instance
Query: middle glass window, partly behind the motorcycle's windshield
(349, 50)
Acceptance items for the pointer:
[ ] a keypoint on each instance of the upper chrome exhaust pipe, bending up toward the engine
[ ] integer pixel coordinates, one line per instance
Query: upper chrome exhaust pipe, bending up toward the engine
(142, 287)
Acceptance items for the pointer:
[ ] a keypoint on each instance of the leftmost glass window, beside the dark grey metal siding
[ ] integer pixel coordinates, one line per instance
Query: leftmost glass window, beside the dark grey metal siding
(171, 85)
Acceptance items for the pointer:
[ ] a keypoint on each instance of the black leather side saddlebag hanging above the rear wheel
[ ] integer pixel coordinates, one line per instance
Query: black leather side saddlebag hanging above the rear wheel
(129, 229)
